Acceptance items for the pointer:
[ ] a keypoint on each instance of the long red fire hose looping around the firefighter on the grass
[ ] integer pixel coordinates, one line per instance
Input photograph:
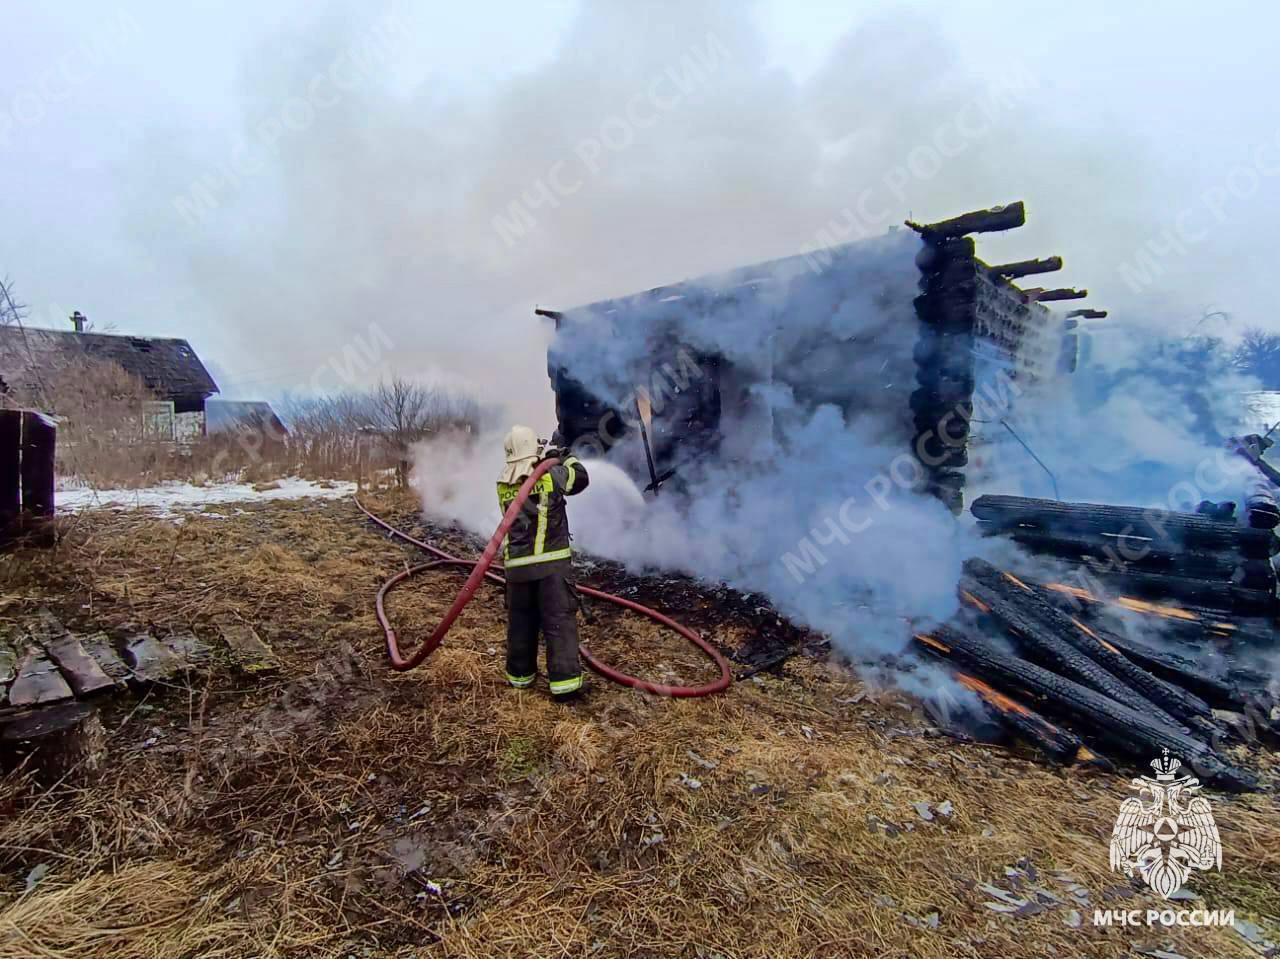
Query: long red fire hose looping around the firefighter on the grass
(481, 572)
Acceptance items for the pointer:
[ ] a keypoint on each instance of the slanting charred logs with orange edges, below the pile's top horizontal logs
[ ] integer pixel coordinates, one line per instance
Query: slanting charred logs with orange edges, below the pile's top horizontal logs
(1085, 677)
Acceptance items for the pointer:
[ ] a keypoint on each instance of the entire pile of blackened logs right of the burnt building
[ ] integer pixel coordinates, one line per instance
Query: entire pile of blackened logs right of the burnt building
(1135, 628)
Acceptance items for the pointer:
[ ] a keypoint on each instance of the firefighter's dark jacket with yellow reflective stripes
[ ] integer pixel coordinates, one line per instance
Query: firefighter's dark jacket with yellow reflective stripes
(538, 545)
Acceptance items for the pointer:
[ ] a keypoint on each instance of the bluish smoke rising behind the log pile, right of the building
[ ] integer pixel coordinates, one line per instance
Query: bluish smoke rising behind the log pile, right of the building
(1144, 422)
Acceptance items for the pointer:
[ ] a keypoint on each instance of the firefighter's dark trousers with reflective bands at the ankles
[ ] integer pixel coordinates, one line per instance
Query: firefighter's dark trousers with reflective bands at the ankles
(546, 605)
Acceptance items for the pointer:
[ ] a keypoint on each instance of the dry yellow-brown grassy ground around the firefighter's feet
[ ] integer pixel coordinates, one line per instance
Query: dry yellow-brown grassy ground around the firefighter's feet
(337, 809)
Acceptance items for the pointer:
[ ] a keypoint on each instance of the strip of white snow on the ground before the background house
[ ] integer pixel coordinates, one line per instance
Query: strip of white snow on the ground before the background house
(177, 499)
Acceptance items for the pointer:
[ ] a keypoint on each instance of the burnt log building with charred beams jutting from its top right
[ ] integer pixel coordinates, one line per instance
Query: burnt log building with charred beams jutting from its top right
(702, 369)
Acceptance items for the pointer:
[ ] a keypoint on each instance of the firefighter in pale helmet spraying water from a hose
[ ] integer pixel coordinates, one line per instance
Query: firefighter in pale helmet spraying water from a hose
(537, 556)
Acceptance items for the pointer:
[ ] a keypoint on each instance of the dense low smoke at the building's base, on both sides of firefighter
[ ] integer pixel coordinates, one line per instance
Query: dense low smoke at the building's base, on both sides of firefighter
(738, 528)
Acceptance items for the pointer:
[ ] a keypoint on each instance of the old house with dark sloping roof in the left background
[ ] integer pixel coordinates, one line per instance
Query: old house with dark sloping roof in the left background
(34, 360)
